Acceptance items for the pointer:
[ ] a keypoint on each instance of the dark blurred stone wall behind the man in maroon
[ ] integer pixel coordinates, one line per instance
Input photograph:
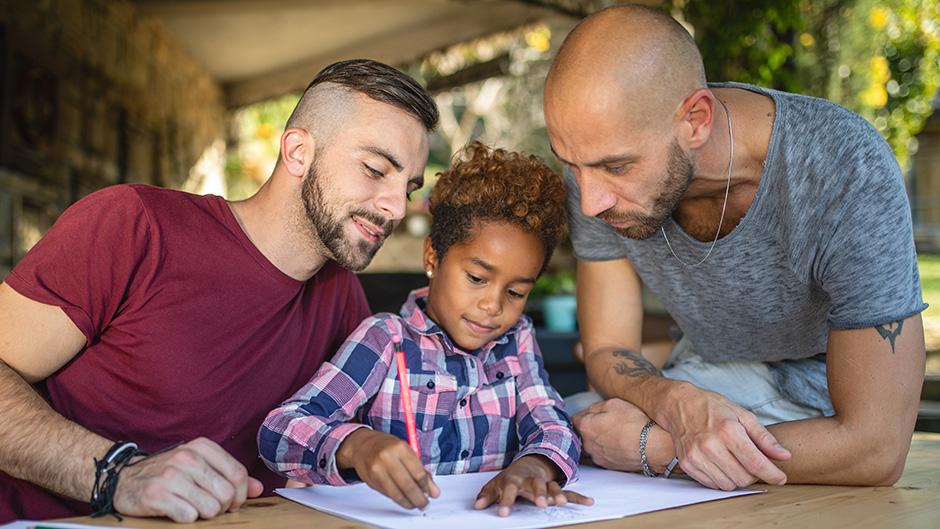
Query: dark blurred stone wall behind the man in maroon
(93, 94)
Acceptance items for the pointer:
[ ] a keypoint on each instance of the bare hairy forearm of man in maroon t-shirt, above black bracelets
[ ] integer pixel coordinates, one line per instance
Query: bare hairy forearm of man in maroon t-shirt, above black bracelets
(41, 446)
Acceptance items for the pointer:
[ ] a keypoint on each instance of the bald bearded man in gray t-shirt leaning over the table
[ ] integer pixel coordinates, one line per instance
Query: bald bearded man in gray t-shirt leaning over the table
(776, 231)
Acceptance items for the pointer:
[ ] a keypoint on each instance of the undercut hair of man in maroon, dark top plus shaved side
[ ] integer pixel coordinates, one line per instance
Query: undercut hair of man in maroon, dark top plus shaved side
(372, 79)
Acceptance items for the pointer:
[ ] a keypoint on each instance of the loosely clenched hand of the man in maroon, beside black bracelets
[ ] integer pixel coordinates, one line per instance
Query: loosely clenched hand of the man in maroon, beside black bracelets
(196, 480)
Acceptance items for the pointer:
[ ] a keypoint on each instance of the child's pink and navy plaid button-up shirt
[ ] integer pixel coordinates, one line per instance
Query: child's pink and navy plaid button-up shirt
(474, 412)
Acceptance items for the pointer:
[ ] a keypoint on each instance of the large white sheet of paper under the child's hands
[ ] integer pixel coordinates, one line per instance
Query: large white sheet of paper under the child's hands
(616, 494)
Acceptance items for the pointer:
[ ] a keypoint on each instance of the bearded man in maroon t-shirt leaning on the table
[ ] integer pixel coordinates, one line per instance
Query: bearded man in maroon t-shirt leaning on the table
(177, 321)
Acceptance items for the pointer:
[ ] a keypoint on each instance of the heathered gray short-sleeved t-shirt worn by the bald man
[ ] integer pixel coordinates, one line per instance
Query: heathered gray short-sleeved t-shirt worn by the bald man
(826, 244)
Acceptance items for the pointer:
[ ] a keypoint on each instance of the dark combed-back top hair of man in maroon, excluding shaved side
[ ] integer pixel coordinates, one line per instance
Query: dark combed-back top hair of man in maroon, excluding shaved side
(382, 83)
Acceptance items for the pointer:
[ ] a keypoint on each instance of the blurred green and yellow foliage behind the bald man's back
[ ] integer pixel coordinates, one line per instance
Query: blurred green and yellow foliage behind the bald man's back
(878, 58)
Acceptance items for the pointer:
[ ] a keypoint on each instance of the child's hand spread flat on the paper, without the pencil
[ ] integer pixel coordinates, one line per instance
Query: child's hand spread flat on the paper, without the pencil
(531, 477)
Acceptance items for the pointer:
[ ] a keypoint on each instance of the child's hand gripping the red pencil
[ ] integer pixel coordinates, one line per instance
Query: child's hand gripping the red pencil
(388, 465)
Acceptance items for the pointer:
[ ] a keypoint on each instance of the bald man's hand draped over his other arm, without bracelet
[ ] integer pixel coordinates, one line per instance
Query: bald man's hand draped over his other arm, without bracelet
(720, 444)
